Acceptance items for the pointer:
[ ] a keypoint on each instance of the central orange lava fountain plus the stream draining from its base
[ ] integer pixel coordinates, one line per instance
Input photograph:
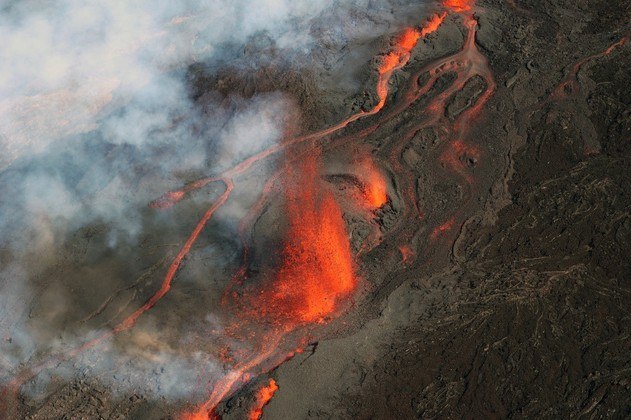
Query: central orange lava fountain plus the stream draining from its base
(316, 274)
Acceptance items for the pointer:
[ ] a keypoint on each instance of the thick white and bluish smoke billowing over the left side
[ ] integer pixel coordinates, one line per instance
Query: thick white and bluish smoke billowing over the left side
(96, 119)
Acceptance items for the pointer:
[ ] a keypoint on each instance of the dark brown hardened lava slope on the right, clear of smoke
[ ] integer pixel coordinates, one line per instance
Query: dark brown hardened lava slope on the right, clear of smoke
(529, 316)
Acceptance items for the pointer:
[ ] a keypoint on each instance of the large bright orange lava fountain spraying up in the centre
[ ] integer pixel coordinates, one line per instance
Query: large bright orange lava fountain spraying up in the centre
(317, 264)
